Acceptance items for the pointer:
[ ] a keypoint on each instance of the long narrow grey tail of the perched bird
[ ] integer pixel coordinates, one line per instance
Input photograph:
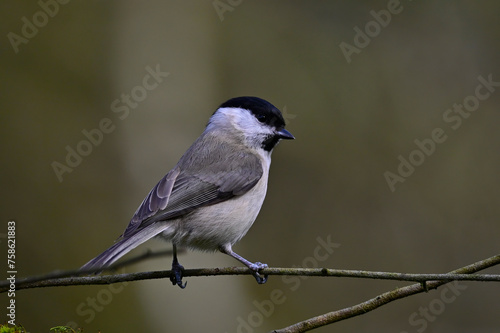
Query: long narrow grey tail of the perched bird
(124, 245)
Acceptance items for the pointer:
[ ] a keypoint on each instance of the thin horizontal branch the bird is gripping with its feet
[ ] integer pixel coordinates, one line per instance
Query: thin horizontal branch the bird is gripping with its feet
(74, 278)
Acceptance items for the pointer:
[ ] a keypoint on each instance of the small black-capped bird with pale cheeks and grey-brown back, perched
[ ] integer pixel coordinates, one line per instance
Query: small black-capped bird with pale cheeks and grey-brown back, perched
(210, 199)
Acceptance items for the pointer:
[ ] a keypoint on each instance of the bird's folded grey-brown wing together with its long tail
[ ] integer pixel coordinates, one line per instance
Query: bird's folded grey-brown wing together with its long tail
(186, 187)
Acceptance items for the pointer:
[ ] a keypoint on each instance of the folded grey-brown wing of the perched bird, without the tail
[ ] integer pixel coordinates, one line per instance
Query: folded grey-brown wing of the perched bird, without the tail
(218, 180)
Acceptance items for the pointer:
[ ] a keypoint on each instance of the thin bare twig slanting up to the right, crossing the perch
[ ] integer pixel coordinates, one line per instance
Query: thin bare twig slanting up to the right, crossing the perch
(387, 297)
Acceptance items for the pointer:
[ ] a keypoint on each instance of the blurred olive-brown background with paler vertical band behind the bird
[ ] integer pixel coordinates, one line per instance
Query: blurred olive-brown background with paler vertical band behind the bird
(352, 120)
